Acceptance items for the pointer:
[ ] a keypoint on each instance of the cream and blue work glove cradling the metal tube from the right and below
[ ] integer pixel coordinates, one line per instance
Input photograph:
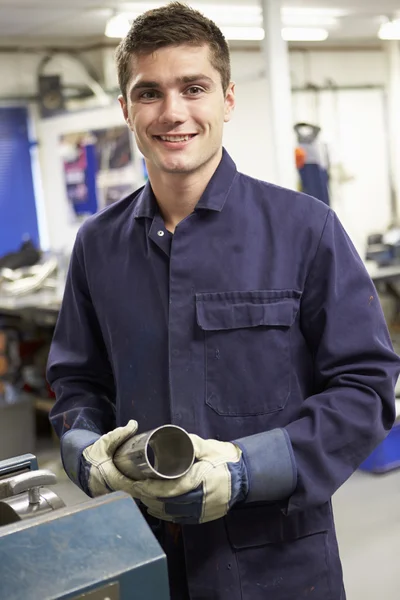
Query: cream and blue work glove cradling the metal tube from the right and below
(216, 481)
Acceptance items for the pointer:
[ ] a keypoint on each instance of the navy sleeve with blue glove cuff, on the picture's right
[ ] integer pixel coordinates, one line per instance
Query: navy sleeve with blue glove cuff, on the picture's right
(355, 373)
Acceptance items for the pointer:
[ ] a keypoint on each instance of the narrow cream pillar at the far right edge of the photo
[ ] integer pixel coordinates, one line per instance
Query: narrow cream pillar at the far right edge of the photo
(393, 63)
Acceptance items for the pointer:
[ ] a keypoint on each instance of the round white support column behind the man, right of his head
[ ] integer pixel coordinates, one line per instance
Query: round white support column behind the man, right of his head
(276, 58)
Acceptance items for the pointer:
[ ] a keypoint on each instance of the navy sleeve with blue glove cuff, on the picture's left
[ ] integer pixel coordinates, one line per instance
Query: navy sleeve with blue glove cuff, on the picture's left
(79, 371)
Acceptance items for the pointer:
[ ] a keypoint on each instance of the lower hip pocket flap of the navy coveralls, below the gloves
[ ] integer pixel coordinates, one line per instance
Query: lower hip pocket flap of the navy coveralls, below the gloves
(260, 525)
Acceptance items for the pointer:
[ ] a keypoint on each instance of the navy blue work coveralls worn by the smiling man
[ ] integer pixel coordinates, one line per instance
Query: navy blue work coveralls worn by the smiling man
(257, 315)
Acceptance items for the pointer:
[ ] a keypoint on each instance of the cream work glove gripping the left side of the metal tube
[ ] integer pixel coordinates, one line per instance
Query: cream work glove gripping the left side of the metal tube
(98, 474)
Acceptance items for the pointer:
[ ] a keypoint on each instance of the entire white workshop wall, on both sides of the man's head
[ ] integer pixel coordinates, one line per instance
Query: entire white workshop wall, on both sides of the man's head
(363, 204)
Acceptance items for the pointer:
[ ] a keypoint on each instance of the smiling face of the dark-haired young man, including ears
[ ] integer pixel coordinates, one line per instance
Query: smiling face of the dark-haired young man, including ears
(176, 108)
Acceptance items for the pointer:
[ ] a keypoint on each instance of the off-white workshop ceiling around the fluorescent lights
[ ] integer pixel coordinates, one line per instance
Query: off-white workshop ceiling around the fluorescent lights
(42, 22)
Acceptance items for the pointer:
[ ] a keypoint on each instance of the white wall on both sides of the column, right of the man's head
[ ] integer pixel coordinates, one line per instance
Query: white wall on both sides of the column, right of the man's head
(353, 127)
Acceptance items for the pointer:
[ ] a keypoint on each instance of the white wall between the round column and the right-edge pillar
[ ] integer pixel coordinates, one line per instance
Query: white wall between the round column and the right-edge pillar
(354, 126)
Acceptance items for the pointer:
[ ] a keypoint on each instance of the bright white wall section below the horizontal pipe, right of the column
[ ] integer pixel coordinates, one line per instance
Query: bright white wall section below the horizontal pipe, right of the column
(354, 130)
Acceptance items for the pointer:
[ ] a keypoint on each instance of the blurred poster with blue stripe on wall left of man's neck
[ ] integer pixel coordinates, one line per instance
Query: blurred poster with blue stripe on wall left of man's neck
(99, 168)
